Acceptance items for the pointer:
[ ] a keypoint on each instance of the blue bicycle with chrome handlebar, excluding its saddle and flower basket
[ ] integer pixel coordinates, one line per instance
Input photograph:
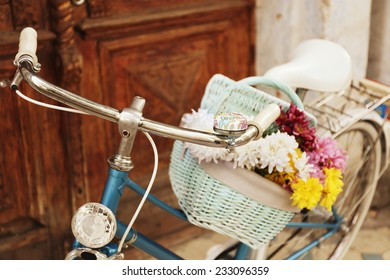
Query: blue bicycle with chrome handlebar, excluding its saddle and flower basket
(95, 225)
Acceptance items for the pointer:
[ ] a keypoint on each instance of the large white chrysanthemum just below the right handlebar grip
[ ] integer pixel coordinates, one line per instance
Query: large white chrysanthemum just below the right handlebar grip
(275, 151)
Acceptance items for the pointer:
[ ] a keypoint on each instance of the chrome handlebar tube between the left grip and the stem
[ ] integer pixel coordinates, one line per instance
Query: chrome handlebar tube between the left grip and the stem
(66, 97)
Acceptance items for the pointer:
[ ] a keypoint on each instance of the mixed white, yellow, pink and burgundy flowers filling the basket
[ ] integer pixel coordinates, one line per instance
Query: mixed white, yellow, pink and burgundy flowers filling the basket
(291, 155)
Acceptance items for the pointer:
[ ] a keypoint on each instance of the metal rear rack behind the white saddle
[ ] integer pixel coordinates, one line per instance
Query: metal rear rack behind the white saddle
(336, 112)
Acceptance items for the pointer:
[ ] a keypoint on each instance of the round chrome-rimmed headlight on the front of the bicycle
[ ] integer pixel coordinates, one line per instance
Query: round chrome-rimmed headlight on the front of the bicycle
(94, 225)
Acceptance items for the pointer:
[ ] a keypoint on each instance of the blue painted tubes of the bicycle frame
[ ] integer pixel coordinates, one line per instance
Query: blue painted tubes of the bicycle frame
(118, 181)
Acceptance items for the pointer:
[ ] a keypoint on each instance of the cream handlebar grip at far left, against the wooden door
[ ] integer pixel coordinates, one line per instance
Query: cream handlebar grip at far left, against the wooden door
(27, 44)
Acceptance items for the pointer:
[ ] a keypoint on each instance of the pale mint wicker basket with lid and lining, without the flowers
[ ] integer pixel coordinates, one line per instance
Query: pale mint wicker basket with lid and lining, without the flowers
(216, 202)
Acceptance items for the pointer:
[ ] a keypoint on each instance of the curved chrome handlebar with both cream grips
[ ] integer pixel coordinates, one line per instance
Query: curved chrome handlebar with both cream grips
(28, 66)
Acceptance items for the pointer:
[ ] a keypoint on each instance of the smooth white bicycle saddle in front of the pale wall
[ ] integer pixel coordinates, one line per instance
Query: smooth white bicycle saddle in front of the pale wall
(315, 64)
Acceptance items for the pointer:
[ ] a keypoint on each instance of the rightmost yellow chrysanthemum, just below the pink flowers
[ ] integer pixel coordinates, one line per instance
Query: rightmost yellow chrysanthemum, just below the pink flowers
(332, 187)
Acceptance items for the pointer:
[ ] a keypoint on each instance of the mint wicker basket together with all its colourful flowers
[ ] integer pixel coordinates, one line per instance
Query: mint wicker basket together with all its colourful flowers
(251, 192)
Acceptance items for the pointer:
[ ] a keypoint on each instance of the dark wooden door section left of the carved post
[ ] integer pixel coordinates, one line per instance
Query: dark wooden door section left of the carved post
(33, 199)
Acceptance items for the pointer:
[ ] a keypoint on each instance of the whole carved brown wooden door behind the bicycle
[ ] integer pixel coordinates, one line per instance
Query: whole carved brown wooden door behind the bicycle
(108, 51)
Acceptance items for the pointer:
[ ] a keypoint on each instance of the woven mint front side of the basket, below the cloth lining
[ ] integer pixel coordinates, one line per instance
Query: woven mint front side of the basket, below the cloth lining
(210, 204)
